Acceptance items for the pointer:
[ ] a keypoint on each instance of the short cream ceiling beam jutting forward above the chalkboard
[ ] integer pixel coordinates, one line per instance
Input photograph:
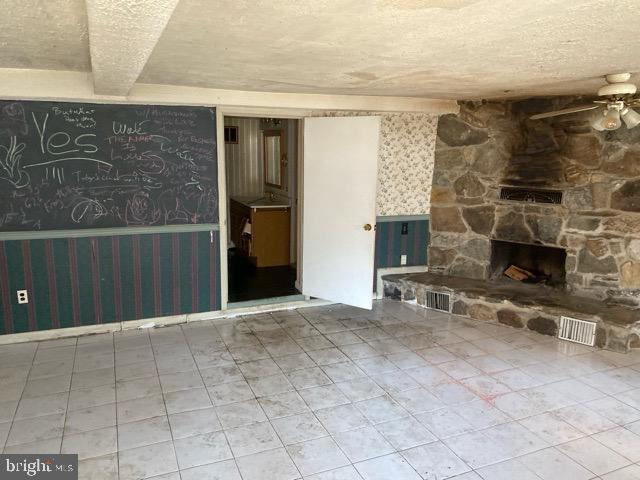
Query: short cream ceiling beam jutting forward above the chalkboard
(122, 35)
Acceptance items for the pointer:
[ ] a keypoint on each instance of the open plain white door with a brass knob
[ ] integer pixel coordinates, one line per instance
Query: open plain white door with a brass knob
(339, 198)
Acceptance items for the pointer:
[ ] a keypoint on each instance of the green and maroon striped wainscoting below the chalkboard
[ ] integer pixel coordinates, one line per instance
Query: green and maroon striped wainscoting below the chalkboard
(101, 279)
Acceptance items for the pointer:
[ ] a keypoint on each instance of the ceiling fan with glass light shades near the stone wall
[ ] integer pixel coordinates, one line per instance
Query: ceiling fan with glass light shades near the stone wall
(613, 108)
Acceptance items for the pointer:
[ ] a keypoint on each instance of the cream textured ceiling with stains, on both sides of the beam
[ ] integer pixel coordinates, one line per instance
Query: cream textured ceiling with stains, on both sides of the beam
(455, 49)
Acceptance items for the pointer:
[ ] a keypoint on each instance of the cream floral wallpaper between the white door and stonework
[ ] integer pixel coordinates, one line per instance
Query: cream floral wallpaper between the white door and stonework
(405, 161)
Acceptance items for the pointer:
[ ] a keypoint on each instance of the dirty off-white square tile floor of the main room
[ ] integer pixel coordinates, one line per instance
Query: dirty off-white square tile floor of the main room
(331, 393)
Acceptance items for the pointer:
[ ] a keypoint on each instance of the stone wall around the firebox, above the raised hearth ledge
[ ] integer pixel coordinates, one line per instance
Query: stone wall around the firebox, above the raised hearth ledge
(488, 145)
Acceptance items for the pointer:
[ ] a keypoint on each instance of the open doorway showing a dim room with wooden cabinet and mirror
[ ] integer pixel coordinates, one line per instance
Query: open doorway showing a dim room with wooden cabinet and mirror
(262, 201)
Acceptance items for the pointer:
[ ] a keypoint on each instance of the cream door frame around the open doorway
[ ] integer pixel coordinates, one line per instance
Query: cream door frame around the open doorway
(221, 112)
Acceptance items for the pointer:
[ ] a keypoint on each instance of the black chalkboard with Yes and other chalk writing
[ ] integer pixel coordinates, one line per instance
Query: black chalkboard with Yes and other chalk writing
(72, 165)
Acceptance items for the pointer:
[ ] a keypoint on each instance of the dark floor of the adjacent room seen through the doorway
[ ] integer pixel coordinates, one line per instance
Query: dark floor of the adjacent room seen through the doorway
(246, 282)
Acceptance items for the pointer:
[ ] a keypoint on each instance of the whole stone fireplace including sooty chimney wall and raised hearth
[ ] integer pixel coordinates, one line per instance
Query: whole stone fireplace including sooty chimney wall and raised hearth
(553, 197)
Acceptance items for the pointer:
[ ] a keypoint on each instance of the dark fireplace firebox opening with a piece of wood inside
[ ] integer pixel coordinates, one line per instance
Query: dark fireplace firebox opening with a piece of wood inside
(545, 264)
